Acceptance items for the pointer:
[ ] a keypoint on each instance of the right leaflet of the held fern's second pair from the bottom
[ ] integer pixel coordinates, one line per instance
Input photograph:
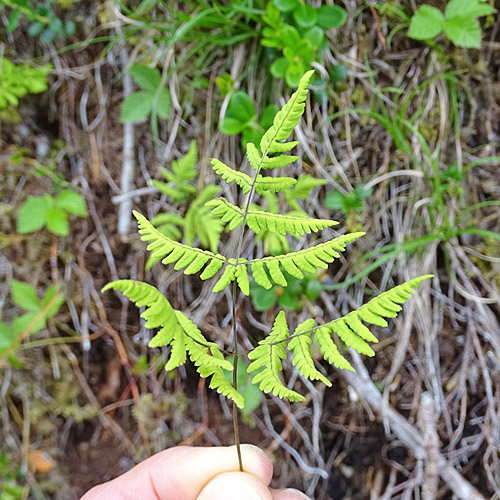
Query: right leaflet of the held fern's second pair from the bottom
(309, 260)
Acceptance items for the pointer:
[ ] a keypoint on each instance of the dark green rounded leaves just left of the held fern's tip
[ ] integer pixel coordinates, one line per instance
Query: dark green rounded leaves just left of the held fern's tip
(241, 118)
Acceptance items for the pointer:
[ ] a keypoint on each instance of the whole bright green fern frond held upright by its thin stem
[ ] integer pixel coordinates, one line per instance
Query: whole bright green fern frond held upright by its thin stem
(186, 340)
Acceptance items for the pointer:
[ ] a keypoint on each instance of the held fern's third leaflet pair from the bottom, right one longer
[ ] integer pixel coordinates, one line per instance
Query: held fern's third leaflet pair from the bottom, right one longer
(259, 221)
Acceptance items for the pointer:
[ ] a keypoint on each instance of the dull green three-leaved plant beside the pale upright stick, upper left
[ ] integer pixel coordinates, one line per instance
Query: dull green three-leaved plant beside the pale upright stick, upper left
(153, 98)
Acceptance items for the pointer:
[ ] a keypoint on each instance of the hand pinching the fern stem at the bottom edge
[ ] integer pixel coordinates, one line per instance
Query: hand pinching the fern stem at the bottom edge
(190, 473)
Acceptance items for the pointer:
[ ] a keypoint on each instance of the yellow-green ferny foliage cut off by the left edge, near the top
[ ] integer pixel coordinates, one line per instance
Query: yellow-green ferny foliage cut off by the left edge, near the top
(17, 80)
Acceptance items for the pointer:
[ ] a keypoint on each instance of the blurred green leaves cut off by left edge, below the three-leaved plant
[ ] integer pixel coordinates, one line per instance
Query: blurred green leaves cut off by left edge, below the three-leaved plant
(35, 316)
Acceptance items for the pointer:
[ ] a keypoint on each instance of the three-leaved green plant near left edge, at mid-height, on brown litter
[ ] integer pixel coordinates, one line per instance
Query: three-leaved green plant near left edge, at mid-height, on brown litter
(53, 213)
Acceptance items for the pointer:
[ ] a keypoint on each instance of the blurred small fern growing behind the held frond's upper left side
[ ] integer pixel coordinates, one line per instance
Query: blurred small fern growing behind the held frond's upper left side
(196, 221)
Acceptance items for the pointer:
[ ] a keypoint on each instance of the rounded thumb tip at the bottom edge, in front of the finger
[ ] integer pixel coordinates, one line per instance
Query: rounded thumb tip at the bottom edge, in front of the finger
(231, 485)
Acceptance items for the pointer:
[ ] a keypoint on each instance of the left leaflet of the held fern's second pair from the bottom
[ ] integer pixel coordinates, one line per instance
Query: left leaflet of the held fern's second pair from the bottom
(170, 251)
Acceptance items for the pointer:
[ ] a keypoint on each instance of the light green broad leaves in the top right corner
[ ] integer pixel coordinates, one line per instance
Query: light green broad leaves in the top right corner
(459, 22)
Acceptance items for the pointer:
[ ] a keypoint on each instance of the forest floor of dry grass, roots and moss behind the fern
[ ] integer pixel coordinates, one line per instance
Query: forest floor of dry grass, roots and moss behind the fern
(408, 140)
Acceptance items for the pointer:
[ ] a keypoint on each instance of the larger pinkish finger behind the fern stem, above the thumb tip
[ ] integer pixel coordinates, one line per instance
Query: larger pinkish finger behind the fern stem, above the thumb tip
(180, 473)
